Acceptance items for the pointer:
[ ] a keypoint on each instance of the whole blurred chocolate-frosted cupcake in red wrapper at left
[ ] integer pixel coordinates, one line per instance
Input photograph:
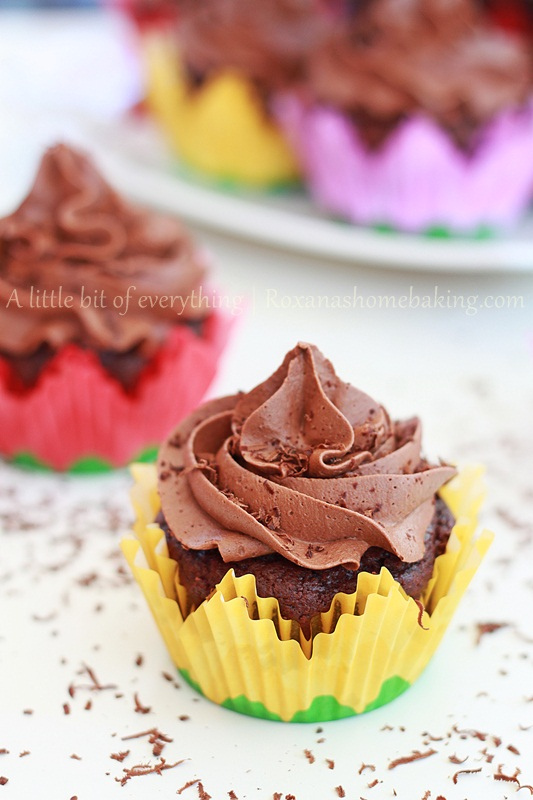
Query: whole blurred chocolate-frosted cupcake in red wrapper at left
(107, 331)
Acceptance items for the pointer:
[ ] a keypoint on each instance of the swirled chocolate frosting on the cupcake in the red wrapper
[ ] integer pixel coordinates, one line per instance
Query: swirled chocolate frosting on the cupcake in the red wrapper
(74, 232)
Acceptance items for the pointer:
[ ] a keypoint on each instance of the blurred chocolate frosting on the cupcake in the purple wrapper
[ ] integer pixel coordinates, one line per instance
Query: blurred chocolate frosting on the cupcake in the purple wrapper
(397, 57)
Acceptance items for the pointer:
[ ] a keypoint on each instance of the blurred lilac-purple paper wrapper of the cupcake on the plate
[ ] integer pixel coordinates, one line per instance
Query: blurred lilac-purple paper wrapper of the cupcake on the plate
(419, 179)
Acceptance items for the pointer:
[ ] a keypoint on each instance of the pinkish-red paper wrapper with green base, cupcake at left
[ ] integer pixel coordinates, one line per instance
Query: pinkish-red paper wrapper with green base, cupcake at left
(78, 416)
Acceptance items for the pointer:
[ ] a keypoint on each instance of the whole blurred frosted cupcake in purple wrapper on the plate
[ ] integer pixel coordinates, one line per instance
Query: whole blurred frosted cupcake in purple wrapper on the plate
(418, 115)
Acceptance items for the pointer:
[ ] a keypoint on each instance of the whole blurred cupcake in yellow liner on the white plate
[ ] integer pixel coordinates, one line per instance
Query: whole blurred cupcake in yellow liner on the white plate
(213, 76)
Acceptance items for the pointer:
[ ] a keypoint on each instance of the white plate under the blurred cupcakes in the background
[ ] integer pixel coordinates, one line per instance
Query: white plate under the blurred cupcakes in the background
(137, 160)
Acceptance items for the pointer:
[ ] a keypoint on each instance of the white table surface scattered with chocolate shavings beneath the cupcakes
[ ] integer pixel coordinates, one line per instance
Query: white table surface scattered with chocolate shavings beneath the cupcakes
(67, 602)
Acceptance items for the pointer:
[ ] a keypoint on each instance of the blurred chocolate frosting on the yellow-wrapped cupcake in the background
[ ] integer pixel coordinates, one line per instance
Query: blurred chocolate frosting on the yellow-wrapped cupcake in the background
(266, 41)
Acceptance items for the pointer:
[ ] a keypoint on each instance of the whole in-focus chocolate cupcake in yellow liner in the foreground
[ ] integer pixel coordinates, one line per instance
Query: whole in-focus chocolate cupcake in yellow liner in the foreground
(295, 522)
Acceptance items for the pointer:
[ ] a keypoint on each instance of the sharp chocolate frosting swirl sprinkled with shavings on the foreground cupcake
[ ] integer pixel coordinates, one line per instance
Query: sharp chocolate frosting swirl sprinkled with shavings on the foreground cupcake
(304, 465)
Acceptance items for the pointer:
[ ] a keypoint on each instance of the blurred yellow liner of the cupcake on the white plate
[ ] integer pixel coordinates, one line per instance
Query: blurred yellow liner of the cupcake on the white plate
(220, 129)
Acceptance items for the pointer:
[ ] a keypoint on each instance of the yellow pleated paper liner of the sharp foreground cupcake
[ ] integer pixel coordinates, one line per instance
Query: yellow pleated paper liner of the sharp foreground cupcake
(238, 651)
